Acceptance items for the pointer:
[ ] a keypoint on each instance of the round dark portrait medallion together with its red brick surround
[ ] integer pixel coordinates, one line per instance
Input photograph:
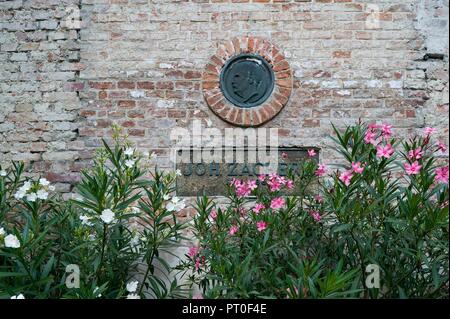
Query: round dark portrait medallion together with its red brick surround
(247, 82)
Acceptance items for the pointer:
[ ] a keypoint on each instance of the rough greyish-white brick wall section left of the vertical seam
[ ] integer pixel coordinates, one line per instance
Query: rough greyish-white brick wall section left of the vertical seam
(39, 102)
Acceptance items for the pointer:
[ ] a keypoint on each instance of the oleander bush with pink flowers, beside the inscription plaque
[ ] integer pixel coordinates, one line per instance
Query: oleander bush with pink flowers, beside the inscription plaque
(383, 211)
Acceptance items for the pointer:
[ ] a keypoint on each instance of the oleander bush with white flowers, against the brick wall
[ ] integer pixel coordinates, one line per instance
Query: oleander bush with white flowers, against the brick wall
(113, 235)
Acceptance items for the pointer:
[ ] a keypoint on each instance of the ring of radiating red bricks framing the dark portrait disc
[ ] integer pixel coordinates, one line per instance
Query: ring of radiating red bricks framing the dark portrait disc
(254, 116)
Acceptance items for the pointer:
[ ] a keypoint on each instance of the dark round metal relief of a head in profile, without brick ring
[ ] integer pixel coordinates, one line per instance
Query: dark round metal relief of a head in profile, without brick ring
(247, 80)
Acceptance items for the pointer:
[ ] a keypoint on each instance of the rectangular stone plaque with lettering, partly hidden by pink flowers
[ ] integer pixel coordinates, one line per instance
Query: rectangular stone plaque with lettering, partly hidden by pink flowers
(211, 178)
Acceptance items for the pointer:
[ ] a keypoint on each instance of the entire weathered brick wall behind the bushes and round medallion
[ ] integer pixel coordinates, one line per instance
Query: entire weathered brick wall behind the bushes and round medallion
(138, 63)
